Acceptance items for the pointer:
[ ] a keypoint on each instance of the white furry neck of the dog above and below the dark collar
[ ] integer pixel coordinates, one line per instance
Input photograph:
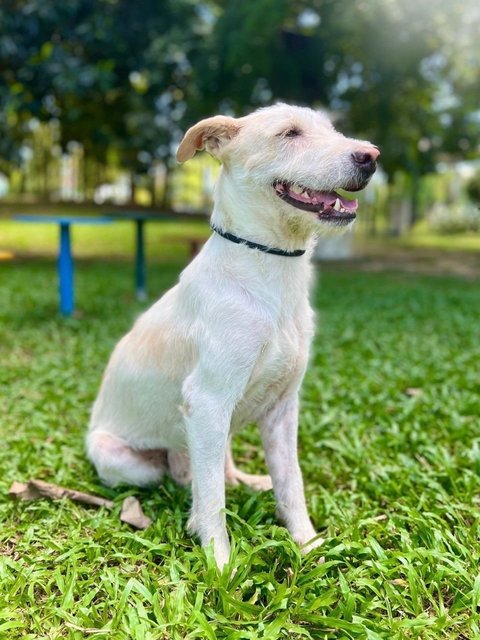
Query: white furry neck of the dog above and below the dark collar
(281, 283)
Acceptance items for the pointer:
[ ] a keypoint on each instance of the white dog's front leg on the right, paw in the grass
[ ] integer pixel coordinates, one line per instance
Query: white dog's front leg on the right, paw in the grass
(279, 434)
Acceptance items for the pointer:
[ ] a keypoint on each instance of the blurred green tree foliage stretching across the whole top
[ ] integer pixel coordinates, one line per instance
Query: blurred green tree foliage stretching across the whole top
(132, 75)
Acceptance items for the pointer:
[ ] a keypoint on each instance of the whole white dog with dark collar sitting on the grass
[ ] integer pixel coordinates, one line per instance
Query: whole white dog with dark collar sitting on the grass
(229, 344)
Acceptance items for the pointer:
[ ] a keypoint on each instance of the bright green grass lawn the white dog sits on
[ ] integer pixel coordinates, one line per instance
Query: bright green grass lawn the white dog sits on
(392, 480)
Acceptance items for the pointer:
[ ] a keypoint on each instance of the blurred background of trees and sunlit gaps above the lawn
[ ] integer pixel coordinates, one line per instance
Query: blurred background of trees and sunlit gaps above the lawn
(95, 96)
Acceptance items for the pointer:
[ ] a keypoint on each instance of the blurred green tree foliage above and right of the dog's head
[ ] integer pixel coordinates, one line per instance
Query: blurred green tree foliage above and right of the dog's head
(382, 66)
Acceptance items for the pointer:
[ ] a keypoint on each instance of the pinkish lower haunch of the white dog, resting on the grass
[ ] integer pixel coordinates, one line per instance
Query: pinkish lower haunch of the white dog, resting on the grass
(119, 463)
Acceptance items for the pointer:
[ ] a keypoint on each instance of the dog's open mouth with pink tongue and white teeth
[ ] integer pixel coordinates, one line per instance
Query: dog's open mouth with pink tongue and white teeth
(328, 205)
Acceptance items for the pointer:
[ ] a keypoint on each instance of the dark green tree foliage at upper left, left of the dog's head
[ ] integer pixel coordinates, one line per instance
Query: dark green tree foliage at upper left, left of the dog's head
(114, 73)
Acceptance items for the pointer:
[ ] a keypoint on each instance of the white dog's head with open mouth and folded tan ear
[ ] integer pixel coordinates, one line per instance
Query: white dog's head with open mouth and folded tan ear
(290, 156)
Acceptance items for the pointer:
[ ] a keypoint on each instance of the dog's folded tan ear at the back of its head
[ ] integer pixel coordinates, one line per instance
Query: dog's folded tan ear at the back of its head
(211, 134)
